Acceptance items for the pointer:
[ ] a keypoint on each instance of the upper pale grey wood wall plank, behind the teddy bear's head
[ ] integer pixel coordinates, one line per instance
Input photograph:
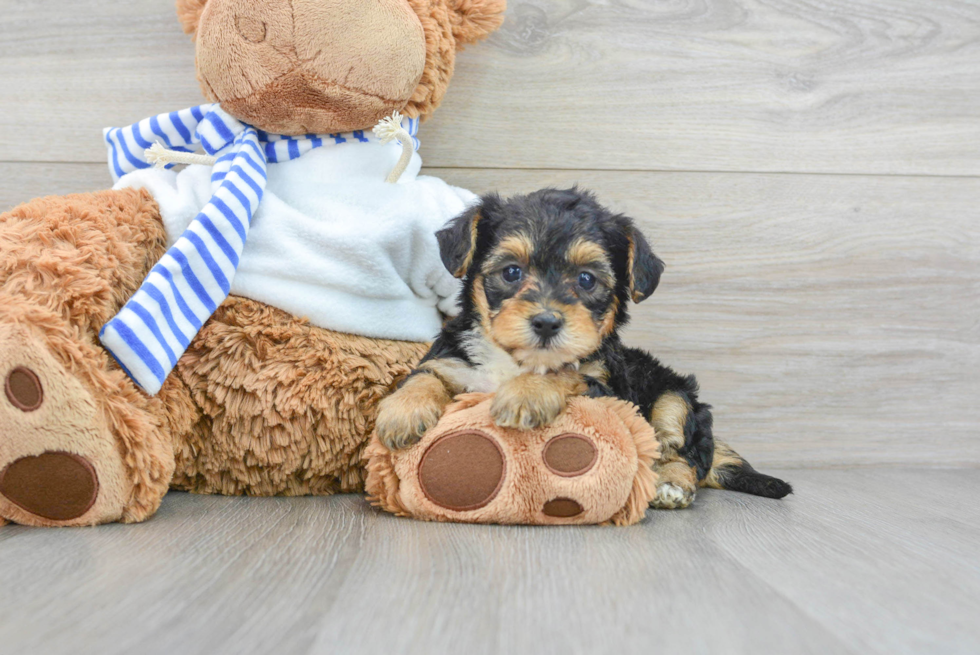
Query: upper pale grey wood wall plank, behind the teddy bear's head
(877, 86)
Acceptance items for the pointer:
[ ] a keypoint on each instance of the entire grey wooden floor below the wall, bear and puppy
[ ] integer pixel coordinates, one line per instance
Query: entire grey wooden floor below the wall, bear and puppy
(857, 561)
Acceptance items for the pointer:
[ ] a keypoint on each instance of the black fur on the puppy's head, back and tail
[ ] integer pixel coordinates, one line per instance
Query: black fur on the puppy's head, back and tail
(553, 219)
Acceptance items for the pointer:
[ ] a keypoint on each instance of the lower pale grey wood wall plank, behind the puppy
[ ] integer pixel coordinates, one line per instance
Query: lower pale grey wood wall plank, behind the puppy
(831, 320)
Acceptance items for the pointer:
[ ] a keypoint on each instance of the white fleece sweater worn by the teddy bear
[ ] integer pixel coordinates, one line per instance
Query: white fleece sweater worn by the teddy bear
(332, 241)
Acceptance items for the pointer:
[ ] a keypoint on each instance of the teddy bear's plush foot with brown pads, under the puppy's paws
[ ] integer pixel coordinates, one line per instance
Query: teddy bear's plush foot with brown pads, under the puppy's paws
(592, 465)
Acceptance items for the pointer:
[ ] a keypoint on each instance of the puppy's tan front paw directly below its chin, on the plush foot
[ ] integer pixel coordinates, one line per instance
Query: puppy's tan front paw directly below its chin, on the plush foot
(527, 402)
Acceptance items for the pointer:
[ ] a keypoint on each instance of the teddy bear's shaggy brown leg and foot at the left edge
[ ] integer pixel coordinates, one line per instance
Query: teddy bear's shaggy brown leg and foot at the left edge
(79, 443)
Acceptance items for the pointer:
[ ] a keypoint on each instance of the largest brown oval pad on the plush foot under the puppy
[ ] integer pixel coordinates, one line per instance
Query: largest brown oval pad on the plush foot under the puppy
(462, 471)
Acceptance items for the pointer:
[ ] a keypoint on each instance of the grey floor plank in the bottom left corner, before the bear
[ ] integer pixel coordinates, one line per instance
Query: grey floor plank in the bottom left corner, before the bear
(201, 571)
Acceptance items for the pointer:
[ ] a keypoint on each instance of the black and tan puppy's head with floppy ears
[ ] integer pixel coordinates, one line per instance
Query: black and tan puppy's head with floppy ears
(547, 275)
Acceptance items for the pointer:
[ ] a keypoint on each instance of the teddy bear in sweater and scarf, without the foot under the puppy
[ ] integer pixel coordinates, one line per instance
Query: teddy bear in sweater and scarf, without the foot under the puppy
(201, 329)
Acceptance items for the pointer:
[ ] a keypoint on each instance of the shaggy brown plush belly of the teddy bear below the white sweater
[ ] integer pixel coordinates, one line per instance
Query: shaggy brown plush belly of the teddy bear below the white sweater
(281, 407)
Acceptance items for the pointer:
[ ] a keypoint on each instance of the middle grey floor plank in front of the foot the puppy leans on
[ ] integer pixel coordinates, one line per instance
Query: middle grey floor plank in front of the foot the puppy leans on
(526, 590)
